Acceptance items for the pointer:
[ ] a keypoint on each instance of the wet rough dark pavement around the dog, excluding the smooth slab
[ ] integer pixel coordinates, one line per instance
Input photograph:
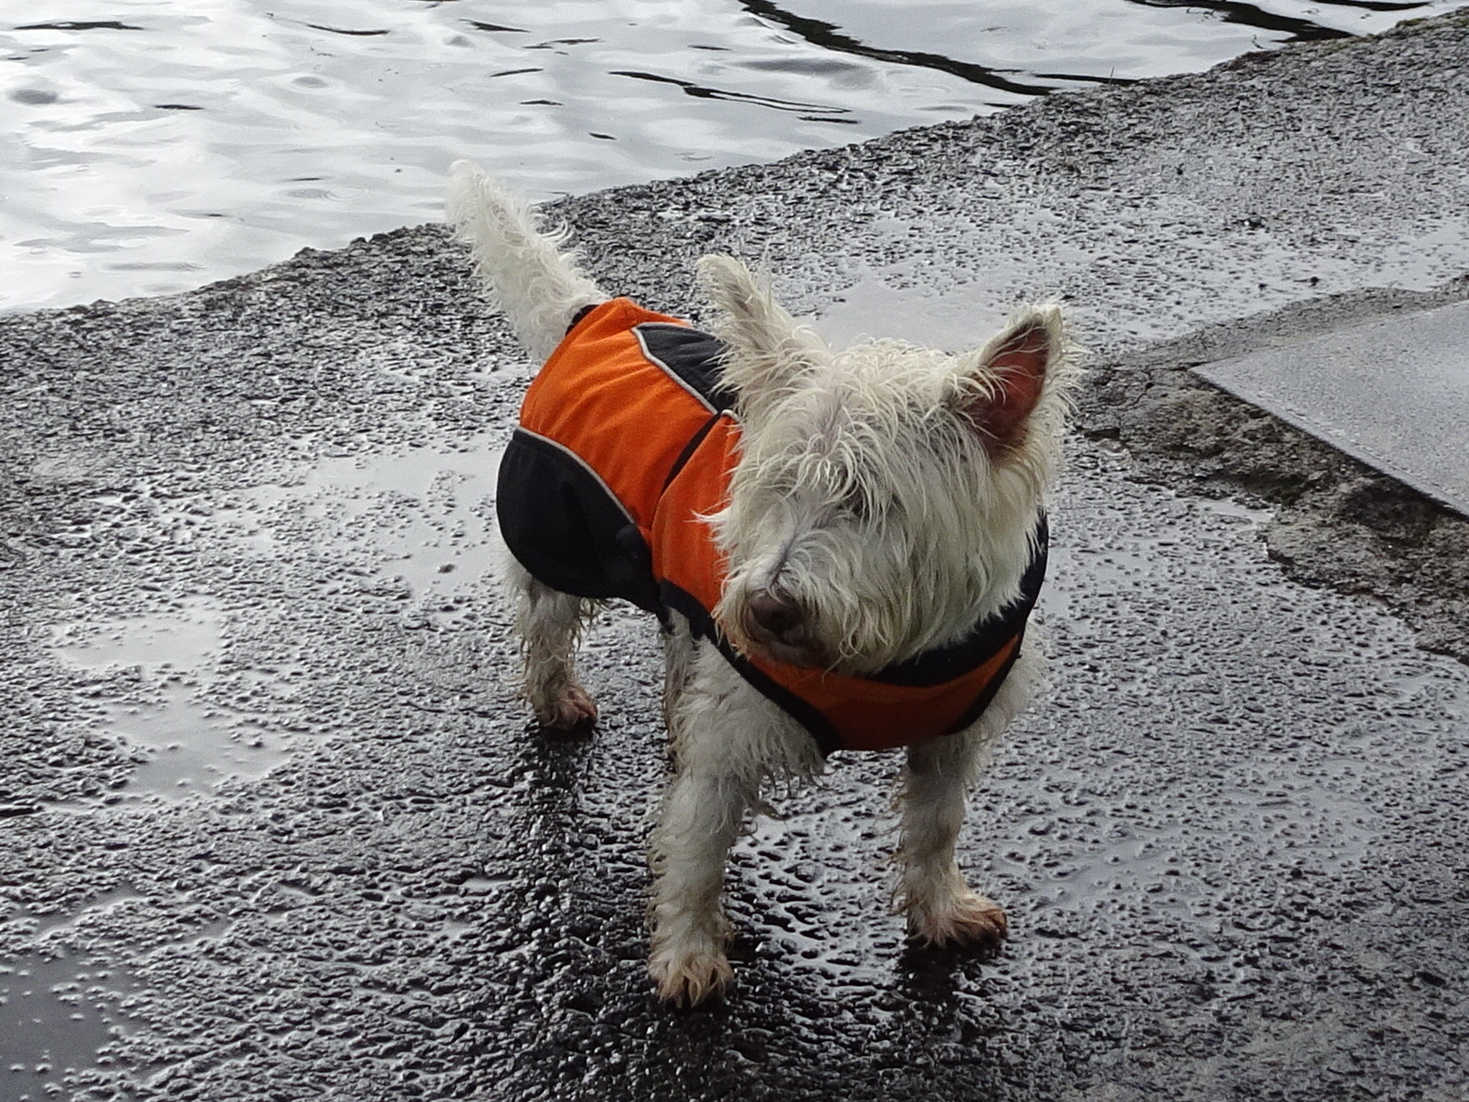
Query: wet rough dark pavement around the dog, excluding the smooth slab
(274, 825)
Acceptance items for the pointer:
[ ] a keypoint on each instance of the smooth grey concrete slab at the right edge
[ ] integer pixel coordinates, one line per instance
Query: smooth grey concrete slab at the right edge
(1392, 393)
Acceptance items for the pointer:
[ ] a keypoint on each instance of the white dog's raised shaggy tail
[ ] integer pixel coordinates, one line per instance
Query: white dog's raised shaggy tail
(533, 277)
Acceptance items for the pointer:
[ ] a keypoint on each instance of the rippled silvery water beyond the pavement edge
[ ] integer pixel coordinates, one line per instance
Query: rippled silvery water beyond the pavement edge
(151, 148)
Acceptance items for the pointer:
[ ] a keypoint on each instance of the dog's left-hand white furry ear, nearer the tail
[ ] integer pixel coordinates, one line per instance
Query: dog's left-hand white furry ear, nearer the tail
(769, 349)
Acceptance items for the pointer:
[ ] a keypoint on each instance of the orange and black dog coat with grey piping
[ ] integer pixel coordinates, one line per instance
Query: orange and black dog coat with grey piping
(625, 442)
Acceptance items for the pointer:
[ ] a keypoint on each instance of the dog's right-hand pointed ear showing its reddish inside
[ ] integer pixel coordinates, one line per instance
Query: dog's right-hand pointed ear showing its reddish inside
(1008, 375)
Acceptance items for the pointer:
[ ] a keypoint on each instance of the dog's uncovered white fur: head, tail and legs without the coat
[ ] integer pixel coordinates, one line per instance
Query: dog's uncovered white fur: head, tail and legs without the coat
(885, 500)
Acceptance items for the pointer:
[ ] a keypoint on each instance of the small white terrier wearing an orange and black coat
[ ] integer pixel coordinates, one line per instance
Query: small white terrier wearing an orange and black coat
(842, 550)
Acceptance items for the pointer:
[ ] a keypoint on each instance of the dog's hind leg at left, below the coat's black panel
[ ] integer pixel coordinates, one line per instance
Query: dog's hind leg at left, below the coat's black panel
(550, 624)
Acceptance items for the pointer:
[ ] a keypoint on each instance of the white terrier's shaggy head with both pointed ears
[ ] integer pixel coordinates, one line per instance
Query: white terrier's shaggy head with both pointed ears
(887, 496)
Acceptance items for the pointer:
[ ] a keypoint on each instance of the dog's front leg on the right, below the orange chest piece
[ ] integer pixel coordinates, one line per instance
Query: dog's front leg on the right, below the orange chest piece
(941, 907)
